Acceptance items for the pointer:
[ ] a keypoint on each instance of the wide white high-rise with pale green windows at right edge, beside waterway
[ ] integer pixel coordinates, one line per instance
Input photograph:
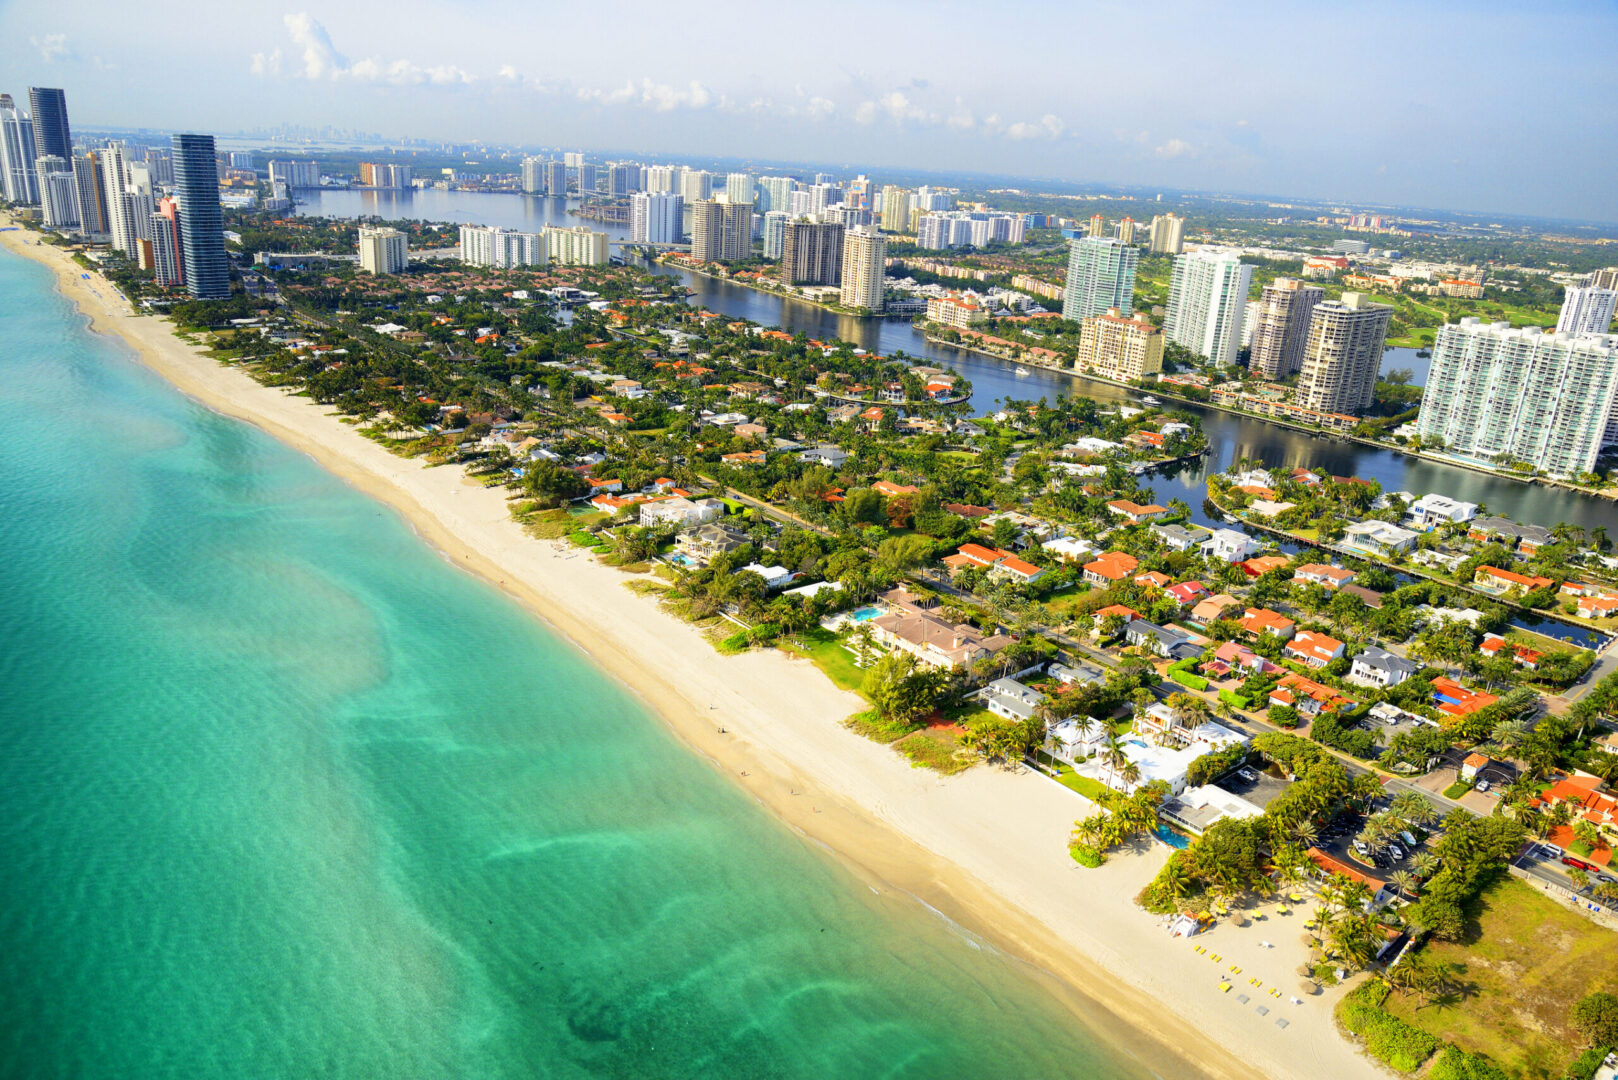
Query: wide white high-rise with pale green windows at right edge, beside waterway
(1502, 394)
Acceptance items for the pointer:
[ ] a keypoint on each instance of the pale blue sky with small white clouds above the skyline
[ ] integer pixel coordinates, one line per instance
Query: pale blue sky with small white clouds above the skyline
(1460, 106)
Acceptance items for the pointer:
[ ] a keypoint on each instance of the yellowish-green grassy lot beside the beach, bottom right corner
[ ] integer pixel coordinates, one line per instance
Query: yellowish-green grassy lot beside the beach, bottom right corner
(1531, 961)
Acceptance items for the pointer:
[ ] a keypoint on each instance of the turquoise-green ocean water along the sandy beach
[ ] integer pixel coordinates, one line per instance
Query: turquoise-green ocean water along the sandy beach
(282, 794)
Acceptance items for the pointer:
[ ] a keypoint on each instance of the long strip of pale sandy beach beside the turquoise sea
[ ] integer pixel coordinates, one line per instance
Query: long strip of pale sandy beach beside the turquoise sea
(985, 849)
